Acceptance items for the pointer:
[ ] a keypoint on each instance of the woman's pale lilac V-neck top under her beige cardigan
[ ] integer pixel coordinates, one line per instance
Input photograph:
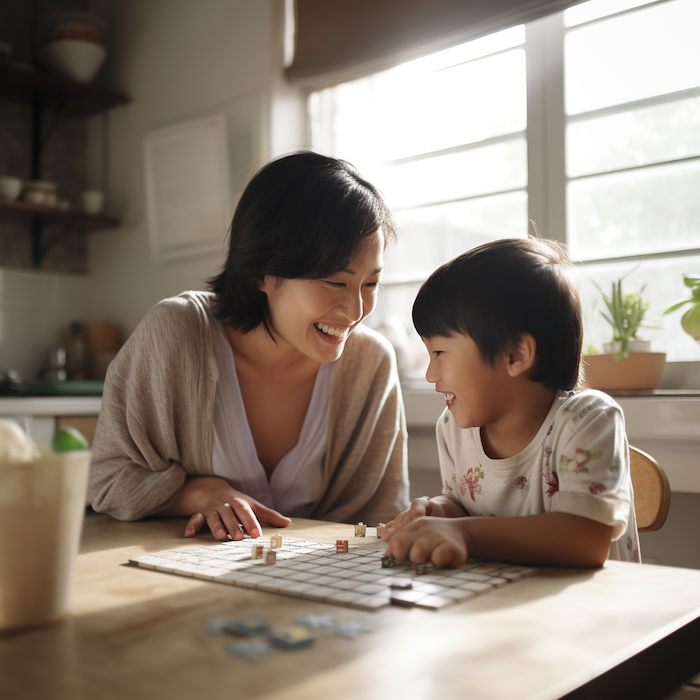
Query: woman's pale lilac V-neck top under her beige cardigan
(297, 481)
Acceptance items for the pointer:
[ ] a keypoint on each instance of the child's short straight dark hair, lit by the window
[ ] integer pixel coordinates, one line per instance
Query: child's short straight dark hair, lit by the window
(500, 290)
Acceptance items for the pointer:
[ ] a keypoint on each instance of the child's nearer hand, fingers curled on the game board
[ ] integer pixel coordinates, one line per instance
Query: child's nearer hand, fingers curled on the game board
(443, 541)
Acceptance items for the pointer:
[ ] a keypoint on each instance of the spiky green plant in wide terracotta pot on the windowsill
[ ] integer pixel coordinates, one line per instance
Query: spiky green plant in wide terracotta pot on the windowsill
(627, 362)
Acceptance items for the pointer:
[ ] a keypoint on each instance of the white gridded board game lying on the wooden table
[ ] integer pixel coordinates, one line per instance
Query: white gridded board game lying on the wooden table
(357, 578)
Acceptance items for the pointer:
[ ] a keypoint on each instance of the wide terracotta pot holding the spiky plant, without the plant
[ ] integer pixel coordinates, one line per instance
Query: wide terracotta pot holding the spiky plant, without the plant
(640, 370)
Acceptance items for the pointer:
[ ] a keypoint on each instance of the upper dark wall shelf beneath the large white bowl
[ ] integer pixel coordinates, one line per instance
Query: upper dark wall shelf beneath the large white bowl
(49, 91)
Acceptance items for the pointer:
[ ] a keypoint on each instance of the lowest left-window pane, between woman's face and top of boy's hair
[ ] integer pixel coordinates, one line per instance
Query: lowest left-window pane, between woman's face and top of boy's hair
(430, 236)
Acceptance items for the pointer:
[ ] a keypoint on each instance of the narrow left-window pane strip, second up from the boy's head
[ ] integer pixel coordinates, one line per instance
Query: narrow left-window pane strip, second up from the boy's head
(475, 171)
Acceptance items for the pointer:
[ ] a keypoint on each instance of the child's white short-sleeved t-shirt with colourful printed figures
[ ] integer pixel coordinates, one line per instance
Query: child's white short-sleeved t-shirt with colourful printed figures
(578, 463)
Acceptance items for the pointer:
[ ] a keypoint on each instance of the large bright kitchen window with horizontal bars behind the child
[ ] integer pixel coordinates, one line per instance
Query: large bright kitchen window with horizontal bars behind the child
(587, 122)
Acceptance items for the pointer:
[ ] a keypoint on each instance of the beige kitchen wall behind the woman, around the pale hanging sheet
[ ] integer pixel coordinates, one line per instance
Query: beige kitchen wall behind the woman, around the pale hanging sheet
(176, 60)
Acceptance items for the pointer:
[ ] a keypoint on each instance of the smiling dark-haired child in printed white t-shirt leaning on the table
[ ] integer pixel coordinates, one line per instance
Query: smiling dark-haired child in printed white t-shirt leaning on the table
(503, 327)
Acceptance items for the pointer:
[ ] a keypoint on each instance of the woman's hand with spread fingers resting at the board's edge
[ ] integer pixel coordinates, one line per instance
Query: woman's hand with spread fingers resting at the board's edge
(224, 509)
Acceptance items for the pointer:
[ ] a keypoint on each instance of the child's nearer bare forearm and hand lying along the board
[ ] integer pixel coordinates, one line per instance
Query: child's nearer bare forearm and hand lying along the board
(557, 539)
